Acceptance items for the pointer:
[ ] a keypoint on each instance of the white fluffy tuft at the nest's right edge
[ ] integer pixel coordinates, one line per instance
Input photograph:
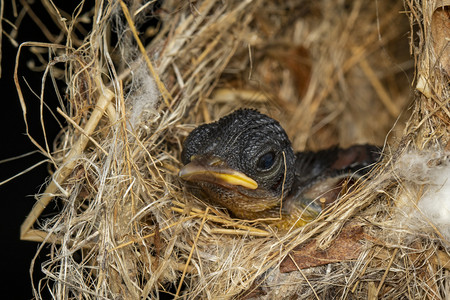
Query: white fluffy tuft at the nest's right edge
(428, 172)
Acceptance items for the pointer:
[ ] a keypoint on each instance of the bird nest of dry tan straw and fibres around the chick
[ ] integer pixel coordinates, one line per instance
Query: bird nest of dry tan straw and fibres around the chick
(142, 76)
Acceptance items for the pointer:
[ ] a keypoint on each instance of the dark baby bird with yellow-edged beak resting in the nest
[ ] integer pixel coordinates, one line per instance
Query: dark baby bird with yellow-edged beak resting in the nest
(245, 163)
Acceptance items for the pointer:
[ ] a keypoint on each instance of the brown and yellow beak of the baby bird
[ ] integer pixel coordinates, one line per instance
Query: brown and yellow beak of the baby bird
(214, 170)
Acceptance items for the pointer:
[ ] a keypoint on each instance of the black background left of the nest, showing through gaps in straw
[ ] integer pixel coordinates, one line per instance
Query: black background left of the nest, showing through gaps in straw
(18, 195)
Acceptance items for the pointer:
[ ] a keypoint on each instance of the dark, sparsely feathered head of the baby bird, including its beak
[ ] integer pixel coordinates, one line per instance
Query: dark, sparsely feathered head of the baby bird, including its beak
(244, 162)
